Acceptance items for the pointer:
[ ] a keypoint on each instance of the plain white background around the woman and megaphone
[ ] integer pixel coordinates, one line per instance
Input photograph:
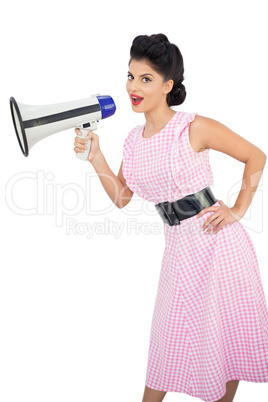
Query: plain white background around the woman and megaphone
(76, 306)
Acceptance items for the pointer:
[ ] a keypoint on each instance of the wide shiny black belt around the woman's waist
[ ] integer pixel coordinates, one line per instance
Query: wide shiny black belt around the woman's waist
(175, 212)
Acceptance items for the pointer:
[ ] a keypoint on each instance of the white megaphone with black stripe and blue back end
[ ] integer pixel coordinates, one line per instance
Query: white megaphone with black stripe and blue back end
(33, 123)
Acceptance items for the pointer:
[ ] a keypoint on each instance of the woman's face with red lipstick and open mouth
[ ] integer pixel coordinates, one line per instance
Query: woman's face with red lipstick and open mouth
(146, 88)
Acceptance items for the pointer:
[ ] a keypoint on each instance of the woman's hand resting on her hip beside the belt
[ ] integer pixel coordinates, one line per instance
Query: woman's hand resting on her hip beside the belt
(222, 216)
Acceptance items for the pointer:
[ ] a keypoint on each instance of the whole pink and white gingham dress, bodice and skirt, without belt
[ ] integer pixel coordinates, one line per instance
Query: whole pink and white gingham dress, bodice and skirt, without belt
(210, 320)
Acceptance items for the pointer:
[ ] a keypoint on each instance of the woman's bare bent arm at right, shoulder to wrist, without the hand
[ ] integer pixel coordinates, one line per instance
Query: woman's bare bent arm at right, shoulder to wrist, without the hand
(210, 133)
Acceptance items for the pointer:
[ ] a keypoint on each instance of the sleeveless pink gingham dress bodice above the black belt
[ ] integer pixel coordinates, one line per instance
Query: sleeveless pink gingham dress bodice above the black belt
(165, 167)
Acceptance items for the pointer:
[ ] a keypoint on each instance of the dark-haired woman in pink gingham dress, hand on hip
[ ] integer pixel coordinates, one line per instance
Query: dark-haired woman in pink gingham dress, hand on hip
(210, 322)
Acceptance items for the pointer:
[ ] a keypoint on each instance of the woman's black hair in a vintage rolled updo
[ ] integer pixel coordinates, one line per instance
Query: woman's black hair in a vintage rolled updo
(165, 58)
